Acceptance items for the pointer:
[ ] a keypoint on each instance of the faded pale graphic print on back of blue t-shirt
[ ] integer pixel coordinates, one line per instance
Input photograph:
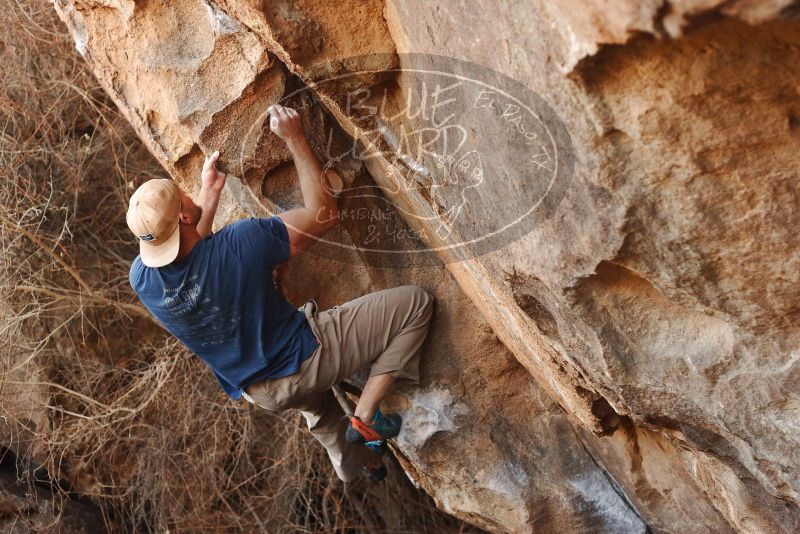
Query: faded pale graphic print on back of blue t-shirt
(197, 317)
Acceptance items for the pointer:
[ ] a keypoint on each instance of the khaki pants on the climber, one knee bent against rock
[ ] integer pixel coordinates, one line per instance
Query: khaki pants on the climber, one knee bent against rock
(385, 329)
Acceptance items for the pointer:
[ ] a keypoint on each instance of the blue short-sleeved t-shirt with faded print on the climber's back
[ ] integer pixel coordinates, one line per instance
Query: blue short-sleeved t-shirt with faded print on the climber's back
(221, 302)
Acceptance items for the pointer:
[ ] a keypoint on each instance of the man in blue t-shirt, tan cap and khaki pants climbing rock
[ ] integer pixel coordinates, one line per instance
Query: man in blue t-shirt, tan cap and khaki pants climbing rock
(215, 293)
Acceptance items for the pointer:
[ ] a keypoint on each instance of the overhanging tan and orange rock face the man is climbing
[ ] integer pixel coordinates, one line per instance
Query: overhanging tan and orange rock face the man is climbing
(629, 359)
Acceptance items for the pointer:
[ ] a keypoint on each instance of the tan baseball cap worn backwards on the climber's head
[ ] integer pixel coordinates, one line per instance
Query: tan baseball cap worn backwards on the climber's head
(153, 215)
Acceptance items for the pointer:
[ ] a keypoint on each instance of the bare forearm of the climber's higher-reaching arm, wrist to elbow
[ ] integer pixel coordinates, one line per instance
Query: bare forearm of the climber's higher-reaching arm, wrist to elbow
(317, 193)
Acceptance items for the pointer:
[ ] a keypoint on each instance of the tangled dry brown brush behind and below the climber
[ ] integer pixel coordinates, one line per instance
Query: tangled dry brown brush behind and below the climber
(91, 389)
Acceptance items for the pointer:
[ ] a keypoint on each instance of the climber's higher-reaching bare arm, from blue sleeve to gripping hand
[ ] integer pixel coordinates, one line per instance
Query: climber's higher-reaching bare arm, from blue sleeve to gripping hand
(319, 213)
